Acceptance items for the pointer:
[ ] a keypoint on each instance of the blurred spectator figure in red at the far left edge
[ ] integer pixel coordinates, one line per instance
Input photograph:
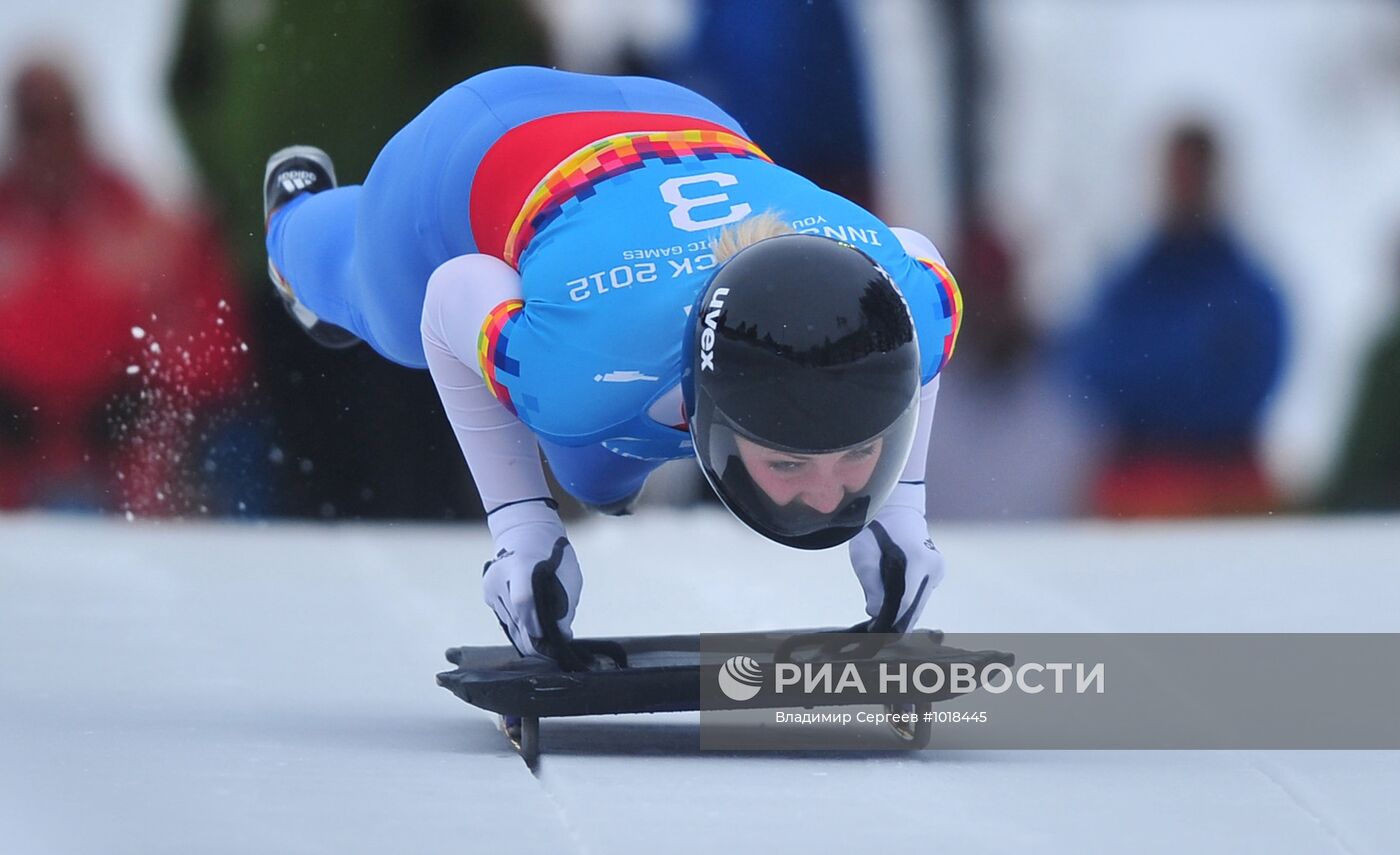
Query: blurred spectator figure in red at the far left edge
(120, 334)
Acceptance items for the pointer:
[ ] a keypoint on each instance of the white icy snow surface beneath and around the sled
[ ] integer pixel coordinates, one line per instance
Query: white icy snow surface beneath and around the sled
(215, 688)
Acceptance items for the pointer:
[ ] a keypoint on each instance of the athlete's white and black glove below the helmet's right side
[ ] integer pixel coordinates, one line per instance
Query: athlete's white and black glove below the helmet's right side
(897, 563)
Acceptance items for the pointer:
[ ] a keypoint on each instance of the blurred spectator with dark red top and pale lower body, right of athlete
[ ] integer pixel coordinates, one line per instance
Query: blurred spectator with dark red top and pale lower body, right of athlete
(1009, 440)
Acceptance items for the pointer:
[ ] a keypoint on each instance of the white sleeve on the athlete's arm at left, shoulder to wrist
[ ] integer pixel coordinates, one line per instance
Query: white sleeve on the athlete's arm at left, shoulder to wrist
(500, 451)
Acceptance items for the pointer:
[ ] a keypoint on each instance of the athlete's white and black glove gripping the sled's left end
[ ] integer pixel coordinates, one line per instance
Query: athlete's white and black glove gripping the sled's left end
(534, 581)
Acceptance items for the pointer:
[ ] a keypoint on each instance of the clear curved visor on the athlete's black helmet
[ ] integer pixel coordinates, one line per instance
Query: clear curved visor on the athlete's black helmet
(804, 499)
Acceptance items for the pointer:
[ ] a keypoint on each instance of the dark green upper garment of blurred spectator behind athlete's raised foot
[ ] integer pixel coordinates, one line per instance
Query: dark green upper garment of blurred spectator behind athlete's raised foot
(253, 76)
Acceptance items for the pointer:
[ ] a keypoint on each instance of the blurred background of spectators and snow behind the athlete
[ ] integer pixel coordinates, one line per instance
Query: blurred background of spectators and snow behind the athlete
(1177, 227)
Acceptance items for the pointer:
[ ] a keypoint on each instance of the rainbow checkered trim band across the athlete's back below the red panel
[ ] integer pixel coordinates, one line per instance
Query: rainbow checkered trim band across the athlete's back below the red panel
(577, 176)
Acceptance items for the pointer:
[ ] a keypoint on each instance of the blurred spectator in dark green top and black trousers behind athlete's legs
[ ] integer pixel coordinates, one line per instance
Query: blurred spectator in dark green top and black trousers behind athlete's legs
(352, 436)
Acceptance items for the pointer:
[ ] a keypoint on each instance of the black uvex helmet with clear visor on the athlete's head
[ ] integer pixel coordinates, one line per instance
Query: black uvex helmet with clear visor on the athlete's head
(803, 346)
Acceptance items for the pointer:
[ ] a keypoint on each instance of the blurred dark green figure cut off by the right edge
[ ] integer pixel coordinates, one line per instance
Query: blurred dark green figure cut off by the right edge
(1368, 476)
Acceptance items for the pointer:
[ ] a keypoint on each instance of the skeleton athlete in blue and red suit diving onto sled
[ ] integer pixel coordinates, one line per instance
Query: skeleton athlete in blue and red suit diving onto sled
(610, 272)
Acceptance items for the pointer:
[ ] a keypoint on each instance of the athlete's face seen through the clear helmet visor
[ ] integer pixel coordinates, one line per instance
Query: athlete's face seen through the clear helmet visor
(821, 482)
